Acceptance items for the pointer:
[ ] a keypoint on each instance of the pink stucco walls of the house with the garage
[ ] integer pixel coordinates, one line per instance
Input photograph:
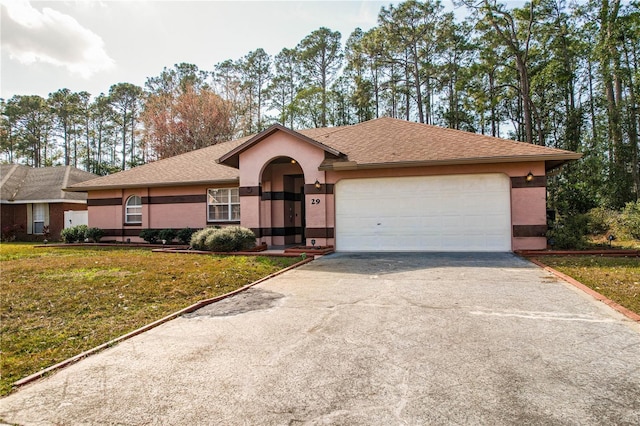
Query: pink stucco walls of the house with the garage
(257, 169)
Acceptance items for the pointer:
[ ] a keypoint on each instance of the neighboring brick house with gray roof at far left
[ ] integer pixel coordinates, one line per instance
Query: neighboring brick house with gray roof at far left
(32, 200)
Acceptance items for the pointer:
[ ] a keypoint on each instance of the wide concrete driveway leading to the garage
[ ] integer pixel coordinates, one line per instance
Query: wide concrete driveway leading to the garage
(370, 339)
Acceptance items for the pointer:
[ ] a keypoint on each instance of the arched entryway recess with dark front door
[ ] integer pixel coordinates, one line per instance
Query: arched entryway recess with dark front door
(282, 213)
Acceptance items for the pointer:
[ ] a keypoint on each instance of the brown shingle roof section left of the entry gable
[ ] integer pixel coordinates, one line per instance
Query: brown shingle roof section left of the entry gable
(193, 167)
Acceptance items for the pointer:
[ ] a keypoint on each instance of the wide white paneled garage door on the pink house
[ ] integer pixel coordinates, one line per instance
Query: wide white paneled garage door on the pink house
(429, 213)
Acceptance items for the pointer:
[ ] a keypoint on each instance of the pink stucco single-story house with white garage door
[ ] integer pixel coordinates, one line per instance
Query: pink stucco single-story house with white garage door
(381, 185)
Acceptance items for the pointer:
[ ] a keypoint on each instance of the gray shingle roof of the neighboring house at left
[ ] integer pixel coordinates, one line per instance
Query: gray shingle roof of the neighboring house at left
(22, 184)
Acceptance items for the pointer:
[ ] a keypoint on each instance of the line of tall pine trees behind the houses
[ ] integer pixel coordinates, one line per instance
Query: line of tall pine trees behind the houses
(553, 73)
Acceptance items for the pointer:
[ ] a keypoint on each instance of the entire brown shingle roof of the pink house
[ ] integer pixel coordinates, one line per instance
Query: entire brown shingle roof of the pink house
(379, 143)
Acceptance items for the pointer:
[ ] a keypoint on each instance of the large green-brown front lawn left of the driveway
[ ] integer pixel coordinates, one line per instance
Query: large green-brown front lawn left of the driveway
(58, 302)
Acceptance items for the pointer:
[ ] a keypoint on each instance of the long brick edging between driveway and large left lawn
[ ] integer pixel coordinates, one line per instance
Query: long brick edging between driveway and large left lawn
(113, 342)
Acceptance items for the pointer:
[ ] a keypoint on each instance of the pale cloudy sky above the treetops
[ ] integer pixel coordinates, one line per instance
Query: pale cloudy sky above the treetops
(90, 44)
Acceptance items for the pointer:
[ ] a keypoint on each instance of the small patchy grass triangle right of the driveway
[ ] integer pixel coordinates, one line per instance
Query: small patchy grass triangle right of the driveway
(617, 278)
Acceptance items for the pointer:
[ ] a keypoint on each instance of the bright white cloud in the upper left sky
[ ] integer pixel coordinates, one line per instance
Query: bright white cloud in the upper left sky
(48, 36)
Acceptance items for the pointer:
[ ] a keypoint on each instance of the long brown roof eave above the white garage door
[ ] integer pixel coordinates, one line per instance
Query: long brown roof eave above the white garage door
(557, 159)
